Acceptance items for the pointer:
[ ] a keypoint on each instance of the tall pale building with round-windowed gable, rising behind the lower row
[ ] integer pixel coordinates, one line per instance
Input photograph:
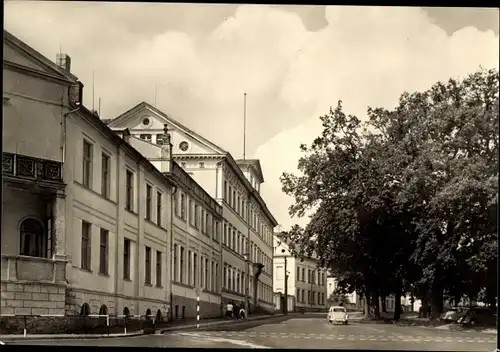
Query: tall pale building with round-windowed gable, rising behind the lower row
(247, 229)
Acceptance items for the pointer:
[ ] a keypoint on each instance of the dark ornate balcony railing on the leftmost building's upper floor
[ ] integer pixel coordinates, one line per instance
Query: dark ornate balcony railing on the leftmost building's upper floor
(31, 168)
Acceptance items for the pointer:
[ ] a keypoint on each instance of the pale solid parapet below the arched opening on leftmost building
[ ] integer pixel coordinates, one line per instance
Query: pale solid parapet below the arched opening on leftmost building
(34, 269)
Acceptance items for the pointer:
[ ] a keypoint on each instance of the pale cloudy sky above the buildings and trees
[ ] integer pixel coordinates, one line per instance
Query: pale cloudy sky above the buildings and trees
(294, 62)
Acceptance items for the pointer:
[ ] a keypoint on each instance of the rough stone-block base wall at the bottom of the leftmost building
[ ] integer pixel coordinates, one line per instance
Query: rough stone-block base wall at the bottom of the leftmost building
(32, 298)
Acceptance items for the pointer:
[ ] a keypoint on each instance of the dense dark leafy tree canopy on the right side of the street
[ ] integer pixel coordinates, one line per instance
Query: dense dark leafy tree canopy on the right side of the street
(406, 201)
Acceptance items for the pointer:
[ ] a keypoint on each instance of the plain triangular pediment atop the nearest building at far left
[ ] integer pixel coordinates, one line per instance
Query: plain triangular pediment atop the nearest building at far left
(19, 53)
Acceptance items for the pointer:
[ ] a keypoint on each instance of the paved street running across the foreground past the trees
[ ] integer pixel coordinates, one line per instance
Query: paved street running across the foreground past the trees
(305, 333)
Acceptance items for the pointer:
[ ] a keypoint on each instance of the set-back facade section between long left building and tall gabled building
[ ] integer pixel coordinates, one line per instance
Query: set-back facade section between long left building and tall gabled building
(196, 228)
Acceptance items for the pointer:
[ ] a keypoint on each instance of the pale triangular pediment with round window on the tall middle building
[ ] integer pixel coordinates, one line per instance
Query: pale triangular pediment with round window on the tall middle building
(145, 119)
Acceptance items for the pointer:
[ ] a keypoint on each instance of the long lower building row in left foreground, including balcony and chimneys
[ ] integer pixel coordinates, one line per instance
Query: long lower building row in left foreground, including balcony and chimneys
(87, 219)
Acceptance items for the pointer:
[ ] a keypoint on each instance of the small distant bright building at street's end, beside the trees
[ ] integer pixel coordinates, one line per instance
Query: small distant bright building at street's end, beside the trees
(306, 281)
